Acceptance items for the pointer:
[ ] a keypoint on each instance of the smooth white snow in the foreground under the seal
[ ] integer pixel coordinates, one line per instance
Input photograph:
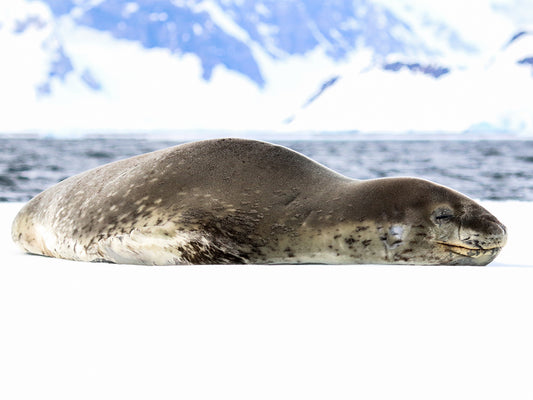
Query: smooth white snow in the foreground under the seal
(73, 330)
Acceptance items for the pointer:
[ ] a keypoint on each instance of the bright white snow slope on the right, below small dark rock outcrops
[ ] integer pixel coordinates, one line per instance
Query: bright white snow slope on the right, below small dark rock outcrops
(496, 98)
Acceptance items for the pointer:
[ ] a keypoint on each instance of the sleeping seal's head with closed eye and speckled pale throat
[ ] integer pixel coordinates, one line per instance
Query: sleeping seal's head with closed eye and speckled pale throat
(420, 222)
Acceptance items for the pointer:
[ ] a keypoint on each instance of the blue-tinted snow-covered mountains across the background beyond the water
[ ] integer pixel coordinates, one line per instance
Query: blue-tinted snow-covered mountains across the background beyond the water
(77, 66)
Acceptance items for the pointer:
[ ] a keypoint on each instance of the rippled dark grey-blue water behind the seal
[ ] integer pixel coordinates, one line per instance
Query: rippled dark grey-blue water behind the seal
(495, 170)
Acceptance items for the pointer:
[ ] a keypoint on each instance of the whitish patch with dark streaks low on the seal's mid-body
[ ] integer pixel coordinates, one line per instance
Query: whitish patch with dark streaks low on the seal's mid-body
(158, 246)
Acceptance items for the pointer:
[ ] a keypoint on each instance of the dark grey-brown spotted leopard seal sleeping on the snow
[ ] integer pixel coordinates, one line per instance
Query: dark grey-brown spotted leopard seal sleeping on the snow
(243, 201)
